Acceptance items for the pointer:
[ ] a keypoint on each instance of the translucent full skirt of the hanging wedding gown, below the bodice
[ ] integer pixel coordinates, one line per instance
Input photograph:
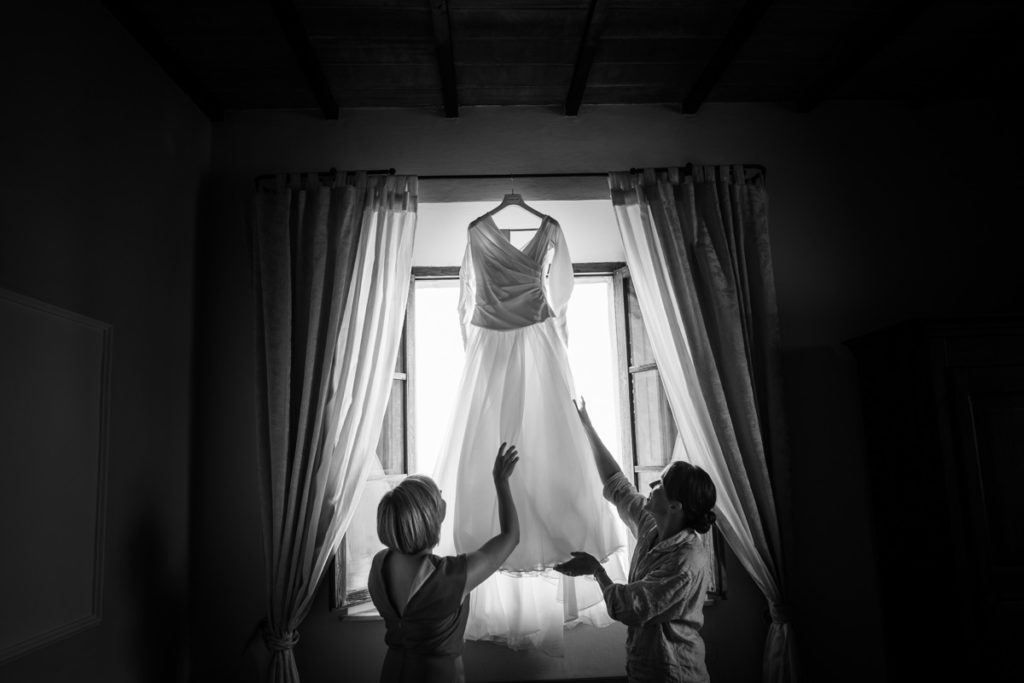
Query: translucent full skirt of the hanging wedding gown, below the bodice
(517, 388)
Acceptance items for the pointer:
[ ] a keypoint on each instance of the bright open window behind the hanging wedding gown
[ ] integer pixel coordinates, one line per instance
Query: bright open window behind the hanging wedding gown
(625, 394)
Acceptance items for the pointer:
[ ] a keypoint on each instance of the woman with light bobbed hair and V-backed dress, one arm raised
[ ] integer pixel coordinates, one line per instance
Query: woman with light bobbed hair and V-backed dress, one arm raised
(421, 596)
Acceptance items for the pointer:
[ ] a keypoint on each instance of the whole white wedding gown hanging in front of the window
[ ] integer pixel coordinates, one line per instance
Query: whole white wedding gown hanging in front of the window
(517, 388)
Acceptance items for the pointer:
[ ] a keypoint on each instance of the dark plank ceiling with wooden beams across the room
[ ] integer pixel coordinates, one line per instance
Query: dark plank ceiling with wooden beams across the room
(443, 55)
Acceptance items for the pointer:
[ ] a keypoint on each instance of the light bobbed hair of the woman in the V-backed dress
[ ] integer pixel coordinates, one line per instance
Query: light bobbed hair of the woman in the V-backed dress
(409, 517)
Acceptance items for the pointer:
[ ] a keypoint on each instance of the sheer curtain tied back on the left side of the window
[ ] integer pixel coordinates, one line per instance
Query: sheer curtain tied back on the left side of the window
(331, 272)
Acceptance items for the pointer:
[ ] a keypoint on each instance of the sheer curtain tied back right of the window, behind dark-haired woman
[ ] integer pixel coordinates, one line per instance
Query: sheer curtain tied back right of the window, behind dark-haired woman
(697, 246)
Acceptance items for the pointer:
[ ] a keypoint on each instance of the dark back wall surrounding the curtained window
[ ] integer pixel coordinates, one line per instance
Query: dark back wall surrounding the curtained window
(879, 214)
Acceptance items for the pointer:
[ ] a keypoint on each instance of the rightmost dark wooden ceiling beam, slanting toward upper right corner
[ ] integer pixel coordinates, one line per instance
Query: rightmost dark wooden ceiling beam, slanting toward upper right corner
(851, 59)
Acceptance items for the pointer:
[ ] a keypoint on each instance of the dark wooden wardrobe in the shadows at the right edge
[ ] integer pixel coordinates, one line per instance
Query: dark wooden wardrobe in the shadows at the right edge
(944, 410)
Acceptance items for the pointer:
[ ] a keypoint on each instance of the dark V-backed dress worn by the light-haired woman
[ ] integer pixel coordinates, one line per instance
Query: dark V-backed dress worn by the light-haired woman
(425, 641)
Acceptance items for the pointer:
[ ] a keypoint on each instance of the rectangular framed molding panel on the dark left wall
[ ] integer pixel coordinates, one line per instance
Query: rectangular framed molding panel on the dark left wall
(55, 428)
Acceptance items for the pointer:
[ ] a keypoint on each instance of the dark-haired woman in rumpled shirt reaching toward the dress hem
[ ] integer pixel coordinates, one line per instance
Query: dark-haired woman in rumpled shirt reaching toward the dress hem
(663, 604)
